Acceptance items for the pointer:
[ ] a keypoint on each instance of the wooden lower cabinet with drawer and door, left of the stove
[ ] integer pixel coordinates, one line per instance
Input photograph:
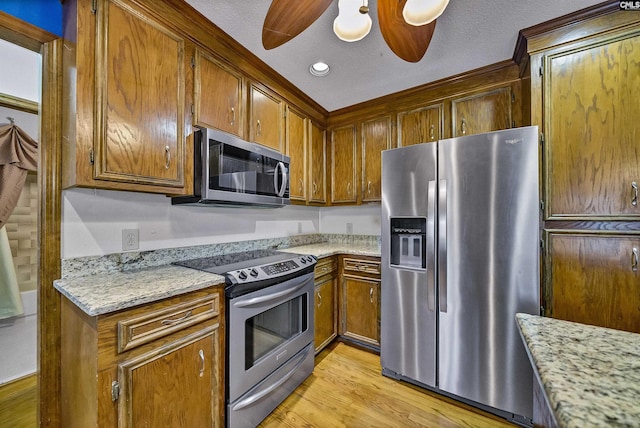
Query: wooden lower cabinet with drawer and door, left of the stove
(160, 364)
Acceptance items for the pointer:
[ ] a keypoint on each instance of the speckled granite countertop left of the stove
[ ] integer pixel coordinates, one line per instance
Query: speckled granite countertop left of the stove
(105, 293)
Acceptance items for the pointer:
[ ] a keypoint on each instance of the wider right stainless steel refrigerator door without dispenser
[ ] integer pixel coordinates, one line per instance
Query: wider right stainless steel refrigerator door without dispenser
(488, 265)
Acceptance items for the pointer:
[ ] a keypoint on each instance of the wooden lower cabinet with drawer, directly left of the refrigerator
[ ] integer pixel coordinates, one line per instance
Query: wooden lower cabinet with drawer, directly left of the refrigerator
(360, 301)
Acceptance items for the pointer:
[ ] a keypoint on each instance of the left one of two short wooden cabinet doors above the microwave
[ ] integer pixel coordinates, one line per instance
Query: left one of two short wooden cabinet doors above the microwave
(218, 95)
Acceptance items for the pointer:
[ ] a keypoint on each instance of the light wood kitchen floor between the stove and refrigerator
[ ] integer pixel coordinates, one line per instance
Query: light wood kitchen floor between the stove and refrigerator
(347, 389)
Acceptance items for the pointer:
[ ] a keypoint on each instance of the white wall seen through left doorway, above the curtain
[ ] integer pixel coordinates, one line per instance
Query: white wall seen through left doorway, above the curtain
(20, 72)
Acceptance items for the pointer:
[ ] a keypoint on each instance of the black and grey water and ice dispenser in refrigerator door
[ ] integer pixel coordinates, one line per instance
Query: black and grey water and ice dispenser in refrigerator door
(408, 242)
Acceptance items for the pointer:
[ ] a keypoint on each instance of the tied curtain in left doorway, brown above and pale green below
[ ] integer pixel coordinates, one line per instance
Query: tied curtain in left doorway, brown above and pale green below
(18, 154)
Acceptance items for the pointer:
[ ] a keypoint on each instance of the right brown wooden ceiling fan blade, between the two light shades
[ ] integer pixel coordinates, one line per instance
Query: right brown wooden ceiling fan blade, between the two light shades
(408, 42)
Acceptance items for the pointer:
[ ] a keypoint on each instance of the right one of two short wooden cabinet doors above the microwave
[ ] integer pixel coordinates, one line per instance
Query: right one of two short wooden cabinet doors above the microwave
(267, 113)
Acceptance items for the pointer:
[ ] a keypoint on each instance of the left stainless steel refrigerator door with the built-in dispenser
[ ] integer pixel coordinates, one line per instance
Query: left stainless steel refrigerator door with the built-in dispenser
(408, 302)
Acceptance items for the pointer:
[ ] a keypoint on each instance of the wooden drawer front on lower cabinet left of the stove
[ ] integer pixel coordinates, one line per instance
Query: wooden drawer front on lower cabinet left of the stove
(147, 327)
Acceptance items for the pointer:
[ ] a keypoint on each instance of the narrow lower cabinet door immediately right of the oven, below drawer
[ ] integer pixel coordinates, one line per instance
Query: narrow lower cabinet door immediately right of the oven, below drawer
(326, 325)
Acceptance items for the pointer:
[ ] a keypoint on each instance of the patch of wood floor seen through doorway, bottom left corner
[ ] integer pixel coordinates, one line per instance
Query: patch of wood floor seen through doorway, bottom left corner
(18, 403)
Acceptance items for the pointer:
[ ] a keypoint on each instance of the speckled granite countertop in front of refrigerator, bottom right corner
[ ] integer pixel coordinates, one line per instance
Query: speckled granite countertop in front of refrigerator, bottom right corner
(590, 375)
